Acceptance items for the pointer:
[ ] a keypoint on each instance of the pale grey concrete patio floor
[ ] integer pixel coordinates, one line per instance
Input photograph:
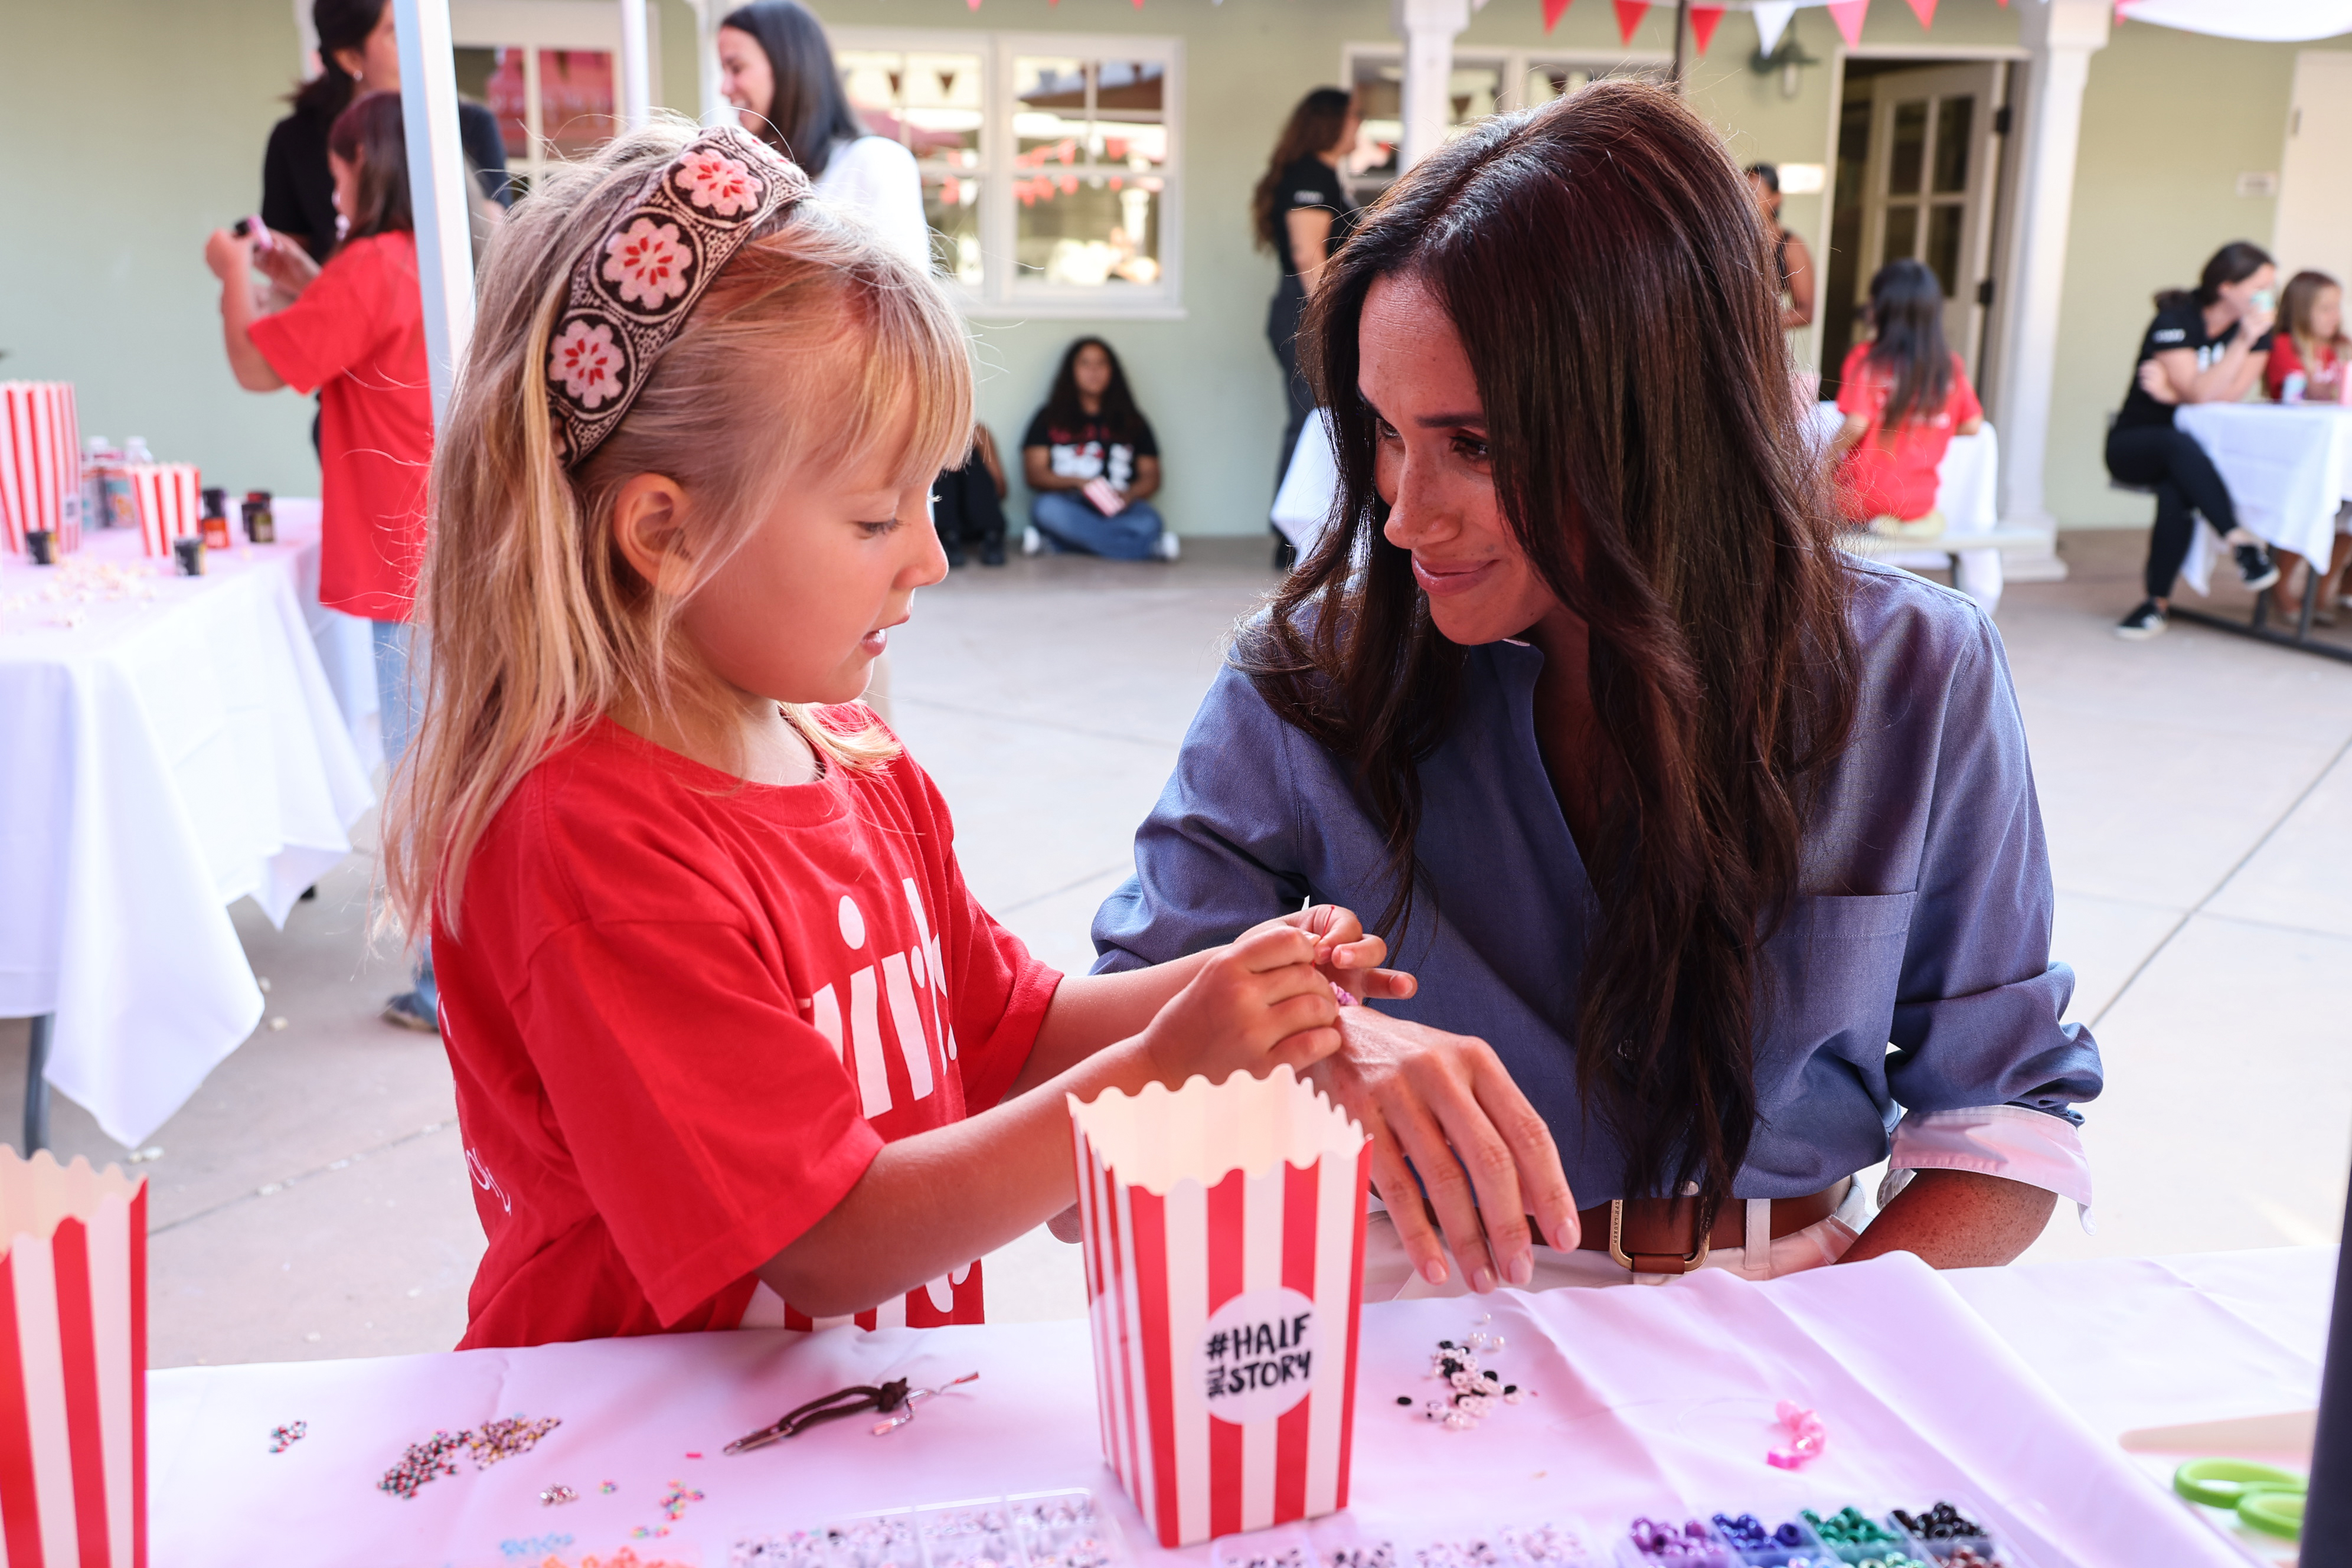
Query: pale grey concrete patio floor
(314, 1198)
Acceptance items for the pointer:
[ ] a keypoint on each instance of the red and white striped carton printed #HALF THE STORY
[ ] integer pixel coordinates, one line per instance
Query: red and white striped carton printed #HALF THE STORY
(1224, 1285)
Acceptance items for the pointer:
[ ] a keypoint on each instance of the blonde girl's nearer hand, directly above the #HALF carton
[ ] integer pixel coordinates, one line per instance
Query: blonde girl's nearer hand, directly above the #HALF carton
(1252, 1007)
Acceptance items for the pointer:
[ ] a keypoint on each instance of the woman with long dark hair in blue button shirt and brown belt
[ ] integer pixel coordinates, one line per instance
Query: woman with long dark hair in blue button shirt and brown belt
(1678, 815)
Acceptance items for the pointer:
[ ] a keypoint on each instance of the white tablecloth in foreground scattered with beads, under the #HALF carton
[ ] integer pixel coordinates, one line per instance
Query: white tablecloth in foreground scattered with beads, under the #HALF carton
(1650, 1402)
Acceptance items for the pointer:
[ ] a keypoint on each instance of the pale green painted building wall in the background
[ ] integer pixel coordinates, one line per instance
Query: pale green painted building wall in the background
(107, 288)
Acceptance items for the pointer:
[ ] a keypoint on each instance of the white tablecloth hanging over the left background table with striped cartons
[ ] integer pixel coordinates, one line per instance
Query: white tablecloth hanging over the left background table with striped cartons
(175, 751)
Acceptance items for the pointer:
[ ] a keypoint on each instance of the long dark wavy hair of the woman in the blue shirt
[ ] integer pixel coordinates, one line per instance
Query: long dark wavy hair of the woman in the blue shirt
(1612, 286)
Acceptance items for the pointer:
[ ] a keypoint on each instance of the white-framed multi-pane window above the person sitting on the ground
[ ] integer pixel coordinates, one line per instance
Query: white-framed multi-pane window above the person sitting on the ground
(1053, 163)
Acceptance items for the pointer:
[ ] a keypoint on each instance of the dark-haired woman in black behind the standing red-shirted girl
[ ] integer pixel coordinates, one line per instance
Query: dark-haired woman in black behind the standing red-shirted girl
(359, 53)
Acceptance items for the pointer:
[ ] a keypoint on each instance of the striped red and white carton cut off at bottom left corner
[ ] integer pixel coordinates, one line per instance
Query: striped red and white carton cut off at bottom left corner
(72, 1365)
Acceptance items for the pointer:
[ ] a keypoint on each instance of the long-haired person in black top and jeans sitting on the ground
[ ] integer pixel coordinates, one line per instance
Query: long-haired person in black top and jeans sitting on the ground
(1093, 462)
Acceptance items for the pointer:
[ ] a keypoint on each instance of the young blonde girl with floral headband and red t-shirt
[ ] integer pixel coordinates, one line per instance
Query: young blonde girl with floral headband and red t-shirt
(733, 1040)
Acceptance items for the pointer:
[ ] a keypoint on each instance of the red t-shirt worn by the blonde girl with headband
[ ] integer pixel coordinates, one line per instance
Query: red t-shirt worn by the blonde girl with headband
(686, 1014)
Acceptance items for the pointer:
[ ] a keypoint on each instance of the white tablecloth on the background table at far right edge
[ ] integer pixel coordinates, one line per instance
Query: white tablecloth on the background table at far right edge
(2287, 467)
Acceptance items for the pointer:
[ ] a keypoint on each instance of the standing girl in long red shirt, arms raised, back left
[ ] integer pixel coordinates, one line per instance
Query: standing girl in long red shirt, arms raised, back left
(356, 335)
